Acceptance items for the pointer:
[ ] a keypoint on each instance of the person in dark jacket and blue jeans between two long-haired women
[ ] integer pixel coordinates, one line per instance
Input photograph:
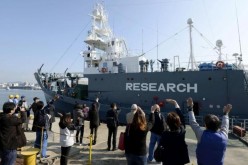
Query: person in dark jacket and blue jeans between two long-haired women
(158, 128)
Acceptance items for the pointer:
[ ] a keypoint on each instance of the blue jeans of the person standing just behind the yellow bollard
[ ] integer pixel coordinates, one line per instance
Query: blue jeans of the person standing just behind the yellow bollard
(44, 142)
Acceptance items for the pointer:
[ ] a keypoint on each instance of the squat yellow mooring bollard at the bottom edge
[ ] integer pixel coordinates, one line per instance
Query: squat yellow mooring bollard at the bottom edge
(30, 156)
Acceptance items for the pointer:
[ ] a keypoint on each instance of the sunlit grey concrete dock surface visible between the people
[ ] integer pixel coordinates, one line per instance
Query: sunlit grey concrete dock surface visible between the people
(236, 151)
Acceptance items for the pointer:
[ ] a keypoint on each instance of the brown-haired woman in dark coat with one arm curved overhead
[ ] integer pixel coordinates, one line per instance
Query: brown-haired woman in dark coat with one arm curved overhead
(173, 140)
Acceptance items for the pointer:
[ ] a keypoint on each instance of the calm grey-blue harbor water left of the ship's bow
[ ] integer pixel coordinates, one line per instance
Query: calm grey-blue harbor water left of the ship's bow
(29, 94)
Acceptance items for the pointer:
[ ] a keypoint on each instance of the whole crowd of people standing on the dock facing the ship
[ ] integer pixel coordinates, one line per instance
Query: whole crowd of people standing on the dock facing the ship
(167, 132)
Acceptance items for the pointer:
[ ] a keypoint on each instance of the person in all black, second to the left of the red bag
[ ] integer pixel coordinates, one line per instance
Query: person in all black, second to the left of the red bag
(94, 121)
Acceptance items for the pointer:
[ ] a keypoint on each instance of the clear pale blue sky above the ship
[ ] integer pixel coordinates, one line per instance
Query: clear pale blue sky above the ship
(53, 31)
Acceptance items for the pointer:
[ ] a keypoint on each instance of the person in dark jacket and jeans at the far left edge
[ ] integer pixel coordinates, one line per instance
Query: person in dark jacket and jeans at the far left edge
(9, 128)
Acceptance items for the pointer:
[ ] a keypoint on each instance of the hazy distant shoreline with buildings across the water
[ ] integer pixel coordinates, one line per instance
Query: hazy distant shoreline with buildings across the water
(20, 85)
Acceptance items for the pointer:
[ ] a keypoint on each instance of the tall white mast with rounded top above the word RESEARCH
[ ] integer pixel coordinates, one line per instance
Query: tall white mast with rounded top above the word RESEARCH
(191, 58)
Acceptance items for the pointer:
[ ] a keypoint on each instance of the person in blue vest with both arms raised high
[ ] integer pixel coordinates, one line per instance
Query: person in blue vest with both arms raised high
(212, 141)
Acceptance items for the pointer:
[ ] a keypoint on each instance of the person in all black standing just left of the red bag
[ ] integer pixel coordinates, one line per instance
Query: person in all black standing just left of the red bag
(112, 124)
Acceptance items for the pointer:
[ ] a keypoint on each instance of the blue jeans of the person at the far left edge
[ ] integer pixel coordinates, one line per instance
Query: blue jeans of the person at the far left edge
(8, 157)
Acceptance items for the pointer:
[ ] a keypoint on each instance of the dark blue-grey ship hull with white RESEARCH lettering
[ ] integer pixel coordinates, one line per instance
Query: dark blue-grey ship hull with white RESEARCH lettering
(211, 90)
